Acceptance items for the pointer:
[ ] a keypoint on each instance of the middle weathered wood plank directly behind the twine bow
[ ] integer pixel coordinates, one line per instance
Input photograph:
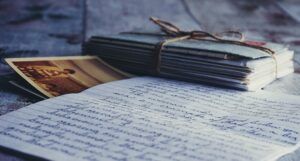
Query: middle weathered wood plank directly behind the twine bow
(114, 16)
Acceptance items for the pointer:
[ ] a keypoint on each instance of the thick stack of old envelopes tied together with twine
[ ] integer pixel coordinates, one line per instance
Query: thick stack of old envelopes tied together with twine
(211, 62)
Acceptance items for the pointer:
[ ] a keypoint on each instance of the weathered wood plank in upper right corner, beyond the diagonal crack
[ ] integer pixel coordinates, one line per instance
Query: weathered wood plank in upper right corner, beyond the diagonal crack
(275, 21)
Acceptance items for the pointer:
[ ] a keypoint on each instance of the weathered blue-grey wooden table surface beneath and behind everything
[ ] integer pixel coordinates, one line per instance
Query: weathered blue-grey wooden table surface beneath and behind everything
(55, 28)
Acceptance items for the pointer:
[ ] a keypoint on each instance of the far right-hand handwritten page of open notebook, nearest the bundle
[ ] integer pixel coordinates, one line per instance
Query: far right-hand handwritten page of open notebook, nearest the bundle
(273, 118)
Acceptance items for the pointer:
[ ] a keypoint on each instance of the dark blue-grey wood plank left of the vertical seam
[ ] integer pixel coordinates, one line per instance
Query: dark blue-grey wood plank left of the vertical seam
(40, 28)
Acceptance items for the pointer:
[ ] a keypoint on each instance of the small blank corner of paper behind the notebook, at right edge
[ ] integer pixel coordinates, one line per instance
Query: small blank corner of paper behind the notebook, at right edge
(289, 84)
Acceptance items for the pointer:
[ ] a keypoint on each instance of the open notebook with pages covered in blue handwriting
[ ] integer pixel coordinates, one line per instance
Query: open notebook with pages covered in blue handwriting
(156, 119)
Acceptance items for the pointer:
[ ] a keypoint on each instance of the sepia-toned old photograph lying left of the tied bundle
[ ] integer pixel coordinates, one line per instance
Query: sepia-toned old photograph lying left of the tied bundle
(63, 75)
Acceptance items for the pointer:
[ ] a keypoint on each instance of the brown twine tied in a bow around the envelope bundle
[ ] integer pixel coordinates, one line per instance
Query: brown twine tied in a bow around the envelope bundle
(176, 34)
